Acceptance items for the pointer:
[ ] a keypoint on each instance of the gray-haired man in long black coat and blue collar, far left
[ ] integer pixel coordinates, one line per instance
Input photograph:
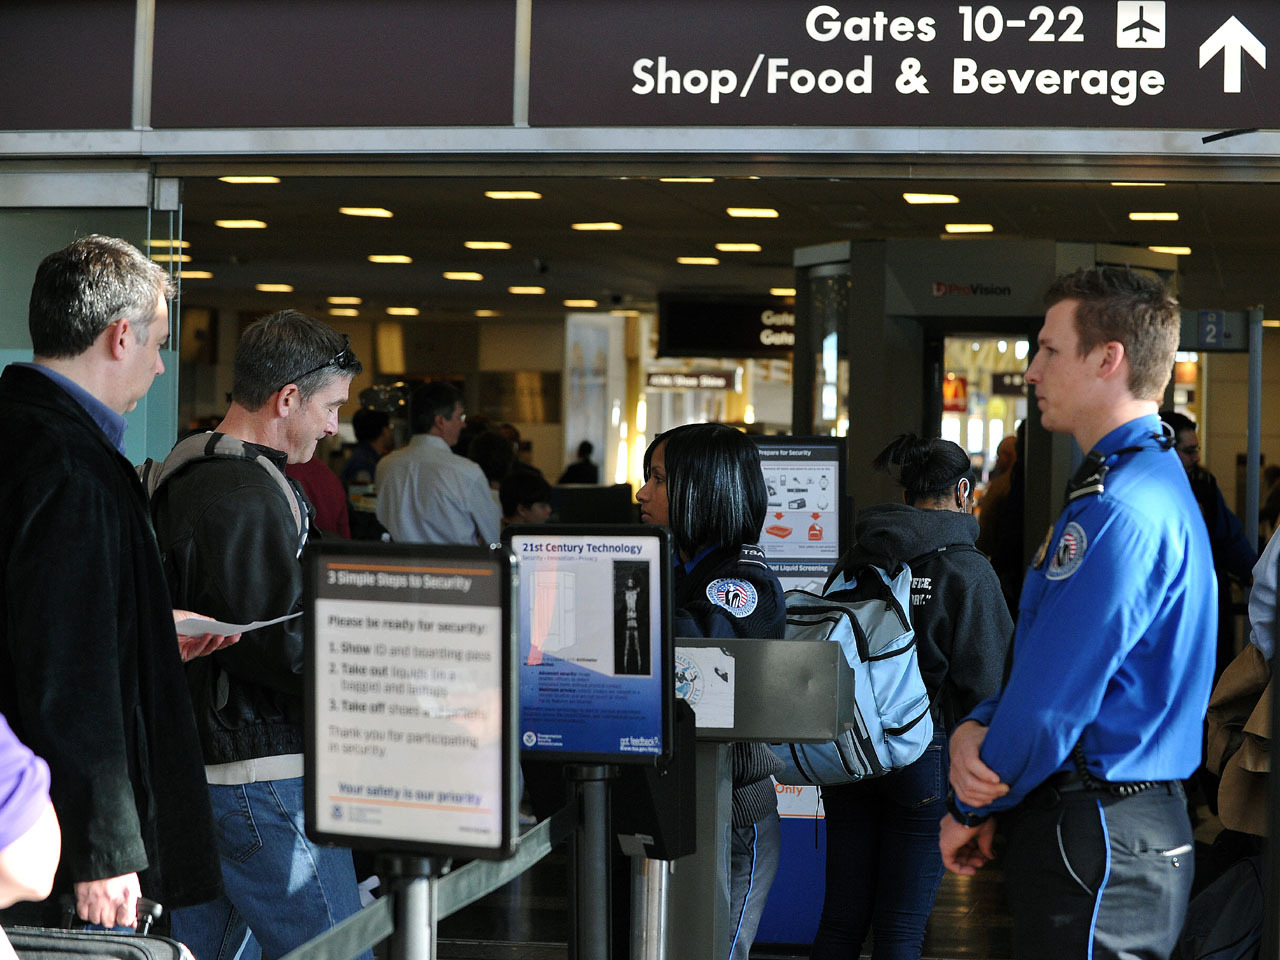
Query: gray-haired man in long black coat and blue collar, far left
(90, 666)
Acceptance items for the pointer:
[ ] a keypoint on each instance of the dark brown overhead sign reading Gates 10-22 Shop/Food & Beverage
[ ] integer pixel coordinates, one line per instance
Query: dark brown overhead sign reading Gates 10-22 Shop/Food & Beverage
(1112, 63)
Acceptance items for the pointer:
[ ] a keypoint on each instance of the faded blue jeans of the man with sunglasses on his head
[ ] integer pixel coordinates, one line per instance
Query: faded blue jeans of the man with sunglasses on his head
(281, 889)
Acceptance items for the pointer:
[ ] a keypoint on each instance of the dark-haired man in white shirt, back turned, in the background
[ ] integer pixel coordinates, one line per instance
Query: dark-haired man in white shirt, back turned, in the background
(426, 492)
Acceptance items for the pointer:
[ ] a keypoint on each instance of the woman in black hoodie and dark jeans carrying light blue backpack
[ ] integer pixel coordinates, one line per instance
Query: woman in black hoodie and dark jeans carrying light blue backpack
(884, 865)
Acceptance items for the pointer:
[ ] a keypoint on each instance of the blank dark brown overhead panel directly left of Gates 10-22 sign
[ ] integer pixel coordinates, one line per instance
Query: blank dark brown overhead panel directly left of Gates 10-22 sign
(333, 63)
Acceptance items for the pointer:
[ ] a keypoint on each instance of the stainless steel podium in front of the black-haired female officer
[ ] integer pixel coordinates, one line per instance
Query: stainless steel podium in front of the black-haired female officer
(785, 692)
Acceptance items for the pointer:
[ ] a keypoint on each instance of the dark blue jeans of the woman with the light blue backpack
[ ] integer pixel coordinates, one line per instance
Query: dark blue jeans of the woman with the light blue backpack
(884, 865)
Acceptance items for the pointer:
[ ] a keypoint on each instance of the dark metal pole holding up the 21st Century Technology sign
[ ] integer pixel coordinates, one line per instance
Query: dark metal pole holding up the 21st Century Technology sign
(589, 897)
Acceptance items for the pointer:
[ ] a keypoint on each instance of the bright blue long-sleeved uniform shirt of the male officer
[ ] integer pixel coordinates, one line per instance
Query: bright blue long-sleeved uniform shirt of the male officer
(1117, 637)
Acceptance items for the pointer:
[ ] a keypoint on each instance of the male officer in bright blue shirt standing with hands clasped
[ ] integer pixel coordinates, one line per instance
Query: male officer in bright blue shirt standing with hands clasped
(1084, 751)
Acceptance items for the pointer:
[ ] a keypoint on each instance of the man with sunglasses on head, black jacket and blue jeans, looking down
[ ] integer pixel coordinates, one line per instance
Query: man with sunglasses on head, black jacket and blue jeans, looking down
(232, 528)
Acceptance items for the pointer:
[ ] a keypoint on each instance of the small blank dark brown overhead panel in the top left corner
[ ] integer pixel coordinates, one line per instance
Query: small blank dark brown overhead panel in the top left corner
(67, 66)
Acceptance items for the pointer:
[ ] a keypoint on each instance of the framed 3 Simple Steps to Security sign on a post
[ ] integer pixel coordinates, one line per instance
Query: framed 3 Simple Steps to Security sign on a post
(410, 698)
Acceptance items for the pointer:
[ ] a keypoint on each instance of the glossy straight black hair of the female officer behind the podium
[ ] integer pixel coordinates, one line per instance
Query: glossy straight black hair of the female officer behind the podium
(716, 491)
